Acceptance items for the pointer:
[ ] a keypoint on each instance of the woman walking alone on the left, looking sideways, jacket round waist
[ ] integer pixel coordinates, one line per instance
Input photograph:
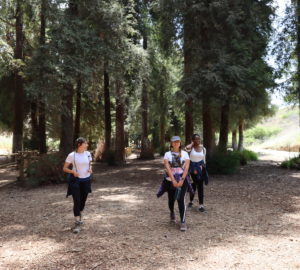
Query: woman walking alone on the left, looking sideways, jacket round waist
(79, 178)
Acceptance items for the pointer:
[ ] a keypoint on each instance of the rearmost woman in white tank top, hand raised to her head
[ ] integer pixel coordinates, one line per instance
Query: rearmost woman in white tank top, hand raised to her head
(197, 156)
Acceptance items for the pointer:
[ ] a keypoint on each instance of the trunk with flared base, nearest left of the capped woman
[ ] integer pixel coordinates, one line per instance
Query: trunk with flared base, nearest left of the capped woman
(146, 151)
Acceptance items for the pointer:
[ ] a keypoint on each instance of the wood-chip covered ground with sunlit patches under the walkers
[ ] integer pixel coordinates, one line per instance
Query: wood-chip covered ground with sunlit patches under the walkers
(252, 222)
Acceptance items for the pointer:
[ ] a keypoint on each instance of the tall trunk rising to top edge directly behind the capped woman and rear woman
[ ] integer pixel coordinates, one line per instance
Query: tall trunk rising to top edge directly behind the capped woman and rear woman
(187, 53)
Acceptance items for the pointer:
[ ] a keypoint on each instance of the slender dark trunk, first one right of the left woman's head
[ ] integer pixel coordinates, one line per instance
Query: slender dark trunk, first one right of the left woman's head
(107, 114)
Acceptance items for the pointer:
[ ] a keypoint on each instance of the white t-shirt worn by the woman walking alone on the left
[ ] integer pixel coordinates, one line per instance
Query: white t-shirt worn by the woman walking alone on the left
(82, 161)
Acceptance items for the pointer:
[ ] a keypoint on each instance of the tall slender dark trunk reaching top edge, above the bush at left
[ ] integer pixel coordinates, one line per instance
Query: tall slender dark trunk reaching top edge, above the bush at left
(41, 103)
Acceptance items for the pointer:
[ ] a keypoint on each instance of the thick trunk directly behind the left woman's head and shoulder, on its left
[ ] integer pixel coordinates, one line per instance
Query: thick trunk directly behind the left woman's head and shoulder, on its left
(66, 139)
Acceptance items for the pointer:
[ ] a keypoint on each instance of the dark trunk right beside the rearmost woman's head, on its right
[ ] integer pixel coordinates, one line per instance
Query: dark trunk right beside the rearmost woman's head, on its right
(208, 133)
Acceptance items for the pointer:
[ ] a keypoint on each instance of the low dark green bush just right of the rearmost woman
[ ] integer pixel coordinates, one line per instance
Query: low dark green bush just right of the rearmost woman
(223, 163)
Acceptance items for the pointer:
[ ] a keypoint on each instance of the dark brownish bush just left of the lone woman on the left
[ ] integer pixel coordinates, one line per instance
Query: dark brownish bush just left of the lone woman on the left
(47, 169)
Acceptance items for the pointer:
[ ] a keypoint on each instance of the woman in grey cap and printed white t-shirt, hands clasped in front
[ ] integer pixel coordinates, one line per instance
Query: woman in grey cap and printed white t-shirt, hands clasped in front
(177, 163)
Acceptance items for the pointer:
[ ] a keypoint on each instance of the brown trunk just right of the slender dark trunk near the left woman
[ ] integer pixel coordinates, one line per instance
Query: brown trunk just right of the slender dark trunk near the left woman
(120, 135)
